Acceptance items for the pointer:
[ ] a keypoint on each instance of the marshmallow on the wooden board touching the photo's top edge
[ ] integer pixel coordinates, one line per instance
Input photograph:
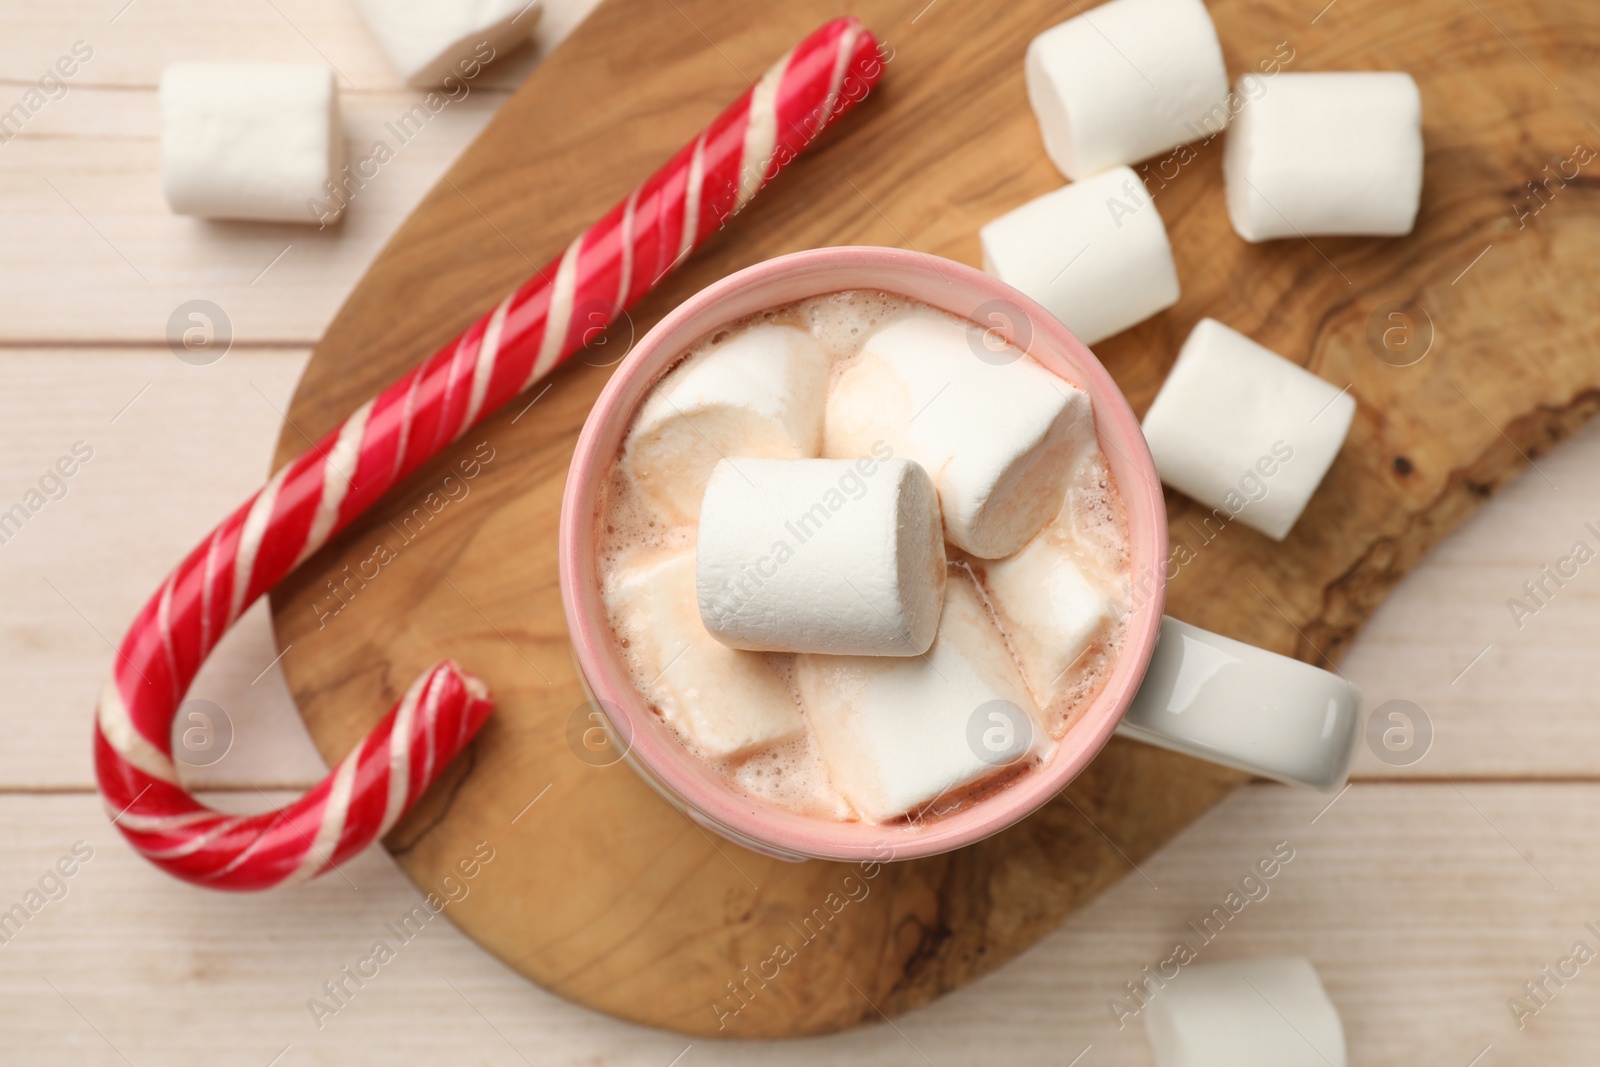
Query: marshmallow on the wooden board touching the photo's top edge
(1127, 81)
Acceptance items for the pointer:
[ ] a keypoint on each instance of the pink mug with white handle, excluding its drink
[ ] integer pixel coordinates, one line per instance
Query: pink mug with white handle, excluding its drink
(1172, 685)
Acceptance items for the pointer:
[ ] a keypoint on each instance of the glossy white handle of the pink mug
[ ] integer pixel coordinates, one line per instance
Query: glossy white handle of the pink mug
(1241, 706)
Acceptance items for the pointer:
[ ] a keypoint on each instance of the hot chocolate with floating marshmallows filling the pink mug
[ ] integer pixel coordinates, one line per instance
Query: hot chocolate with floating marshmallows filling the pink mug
(1028, 601)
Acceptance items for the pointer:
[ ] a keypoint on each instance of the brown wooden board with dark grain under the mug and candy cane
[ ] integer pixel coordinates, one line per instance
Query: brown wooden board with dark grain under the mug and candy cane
(618, 901)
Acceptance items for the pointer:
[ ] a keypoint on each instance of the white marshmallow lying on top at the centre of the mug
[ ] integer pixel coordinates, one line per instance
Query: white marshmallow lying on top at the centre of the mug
(822, 556)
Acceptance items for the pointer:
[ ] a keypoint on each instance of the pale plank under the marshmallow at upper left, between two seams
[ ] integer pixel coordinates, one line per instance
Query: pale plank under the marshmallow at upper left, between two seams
(86, 215)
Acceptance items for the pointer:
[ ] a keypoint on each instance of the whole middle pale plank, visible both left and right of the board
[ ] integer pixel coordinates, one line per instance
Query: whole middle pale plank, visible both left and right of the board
(204, 446)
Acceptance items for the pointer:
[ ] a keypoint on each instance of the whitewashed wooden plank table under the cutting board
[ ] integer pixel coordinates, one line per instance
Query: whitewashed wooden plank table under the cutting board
(1426, 895)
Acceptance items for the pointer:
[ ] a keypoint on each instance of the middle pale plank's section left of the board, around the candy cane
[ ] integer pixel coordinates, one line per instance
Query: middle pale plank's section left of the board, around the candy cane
(174, 450)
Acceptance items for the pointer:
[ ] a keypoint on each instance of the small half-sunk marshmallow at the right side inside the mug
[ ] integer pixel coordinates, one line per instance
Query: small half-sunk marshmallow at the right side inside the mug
(1050, 610)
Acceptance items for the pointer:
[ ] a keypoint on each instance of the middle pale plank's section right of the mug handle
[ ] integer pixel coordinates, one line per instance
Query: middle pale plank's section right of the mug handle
(1502, 698)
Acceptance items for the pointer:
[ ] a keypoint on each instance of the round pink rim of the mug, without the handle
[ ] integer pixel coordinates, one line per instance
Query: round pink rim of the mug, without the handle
(652, 746)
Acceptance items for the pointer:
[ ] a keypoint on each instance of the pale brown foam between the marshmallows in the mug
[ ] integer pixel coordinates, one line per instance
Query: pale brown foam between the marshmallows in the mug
(638, 529)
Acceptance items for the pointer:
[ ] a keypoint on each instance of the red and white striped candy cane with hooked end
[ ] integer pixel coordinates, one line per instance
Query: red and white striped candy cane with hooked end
(522, 340)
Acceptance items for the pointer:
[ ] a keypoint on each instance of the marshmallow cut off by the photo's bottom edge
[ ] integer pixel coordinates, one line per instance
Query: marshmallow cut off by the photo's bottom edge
(1249, 1013)
